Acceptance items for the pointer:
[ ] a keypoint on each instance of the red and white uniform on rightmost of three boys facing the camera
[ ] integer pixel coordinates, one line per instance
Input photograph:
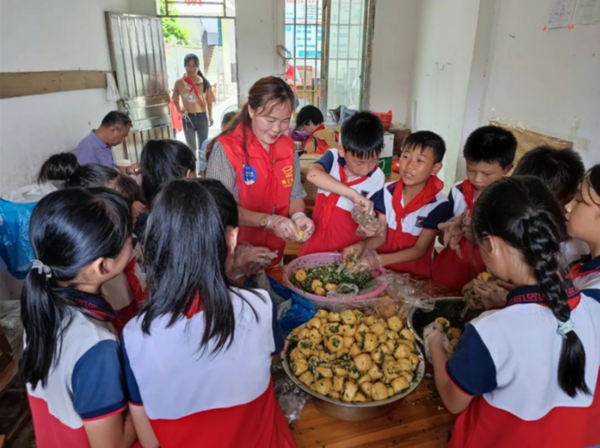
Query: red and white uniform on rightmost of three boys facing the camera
(450, 268)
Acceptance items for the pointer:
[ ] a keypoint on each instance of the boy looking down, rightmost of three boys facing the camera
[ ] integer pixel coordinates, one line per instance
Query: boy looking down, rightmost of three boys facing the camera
(490, 153)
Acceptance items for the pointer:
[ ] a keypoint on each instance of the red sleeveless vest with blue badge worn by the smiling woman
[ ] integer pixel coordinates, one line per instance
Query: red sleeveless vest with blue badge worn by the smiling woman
(264, 181)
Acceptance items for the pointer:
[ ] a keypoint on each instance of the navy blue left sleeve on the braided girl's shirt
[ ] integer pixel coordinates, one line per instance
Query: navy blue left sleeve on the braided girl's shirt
(471, 368)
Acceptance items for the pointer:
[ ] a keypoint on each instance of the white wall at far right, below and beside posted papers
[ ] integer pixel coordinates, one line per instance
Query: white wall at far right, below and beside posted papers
(546, 80)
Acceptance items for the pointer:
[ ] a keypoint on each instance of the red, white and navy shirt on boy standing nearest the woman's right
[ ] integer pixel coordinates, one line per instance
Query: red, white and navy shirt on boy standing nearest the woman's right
(334, 227)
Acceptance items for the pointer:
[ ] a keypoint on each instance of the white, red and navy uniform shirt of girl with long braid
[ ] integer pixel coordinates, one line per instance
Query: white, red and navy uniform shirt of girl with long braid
(508, 361)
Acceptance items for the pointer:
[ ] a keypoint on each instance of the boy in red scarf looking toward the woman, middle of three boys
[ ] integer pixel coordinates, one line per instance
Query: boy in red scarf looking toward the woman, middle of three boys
(412, 209)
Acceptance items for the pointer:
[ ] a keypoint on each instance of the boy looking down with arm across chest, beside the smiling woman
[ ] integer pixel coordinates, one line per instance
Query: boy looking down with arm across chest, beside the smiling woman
(346, 178)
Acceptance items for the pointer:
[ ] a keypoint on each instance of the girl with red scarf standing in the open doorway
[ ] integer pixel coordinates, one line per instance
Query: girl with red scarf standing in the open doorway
(198, 99)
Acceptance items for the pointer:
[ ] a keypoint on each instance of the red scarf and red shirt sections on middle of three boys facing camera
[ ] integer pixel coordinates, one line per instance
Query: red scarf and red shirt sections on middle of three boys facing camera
(397, 240)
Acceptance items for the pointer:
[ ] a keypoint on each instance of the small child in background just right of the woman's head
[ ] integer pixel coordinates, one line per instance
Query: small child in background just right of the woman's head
(310, 120)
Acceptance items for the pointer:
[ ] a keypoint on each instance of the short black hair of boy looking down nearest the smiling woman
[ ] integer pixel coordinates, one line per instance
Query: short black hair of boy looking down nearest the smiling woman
(362, 135)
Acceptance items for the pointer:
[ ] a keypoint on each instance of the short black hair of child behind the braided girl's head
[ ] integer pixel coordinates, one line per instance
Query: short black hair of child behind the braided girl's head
(562, 170)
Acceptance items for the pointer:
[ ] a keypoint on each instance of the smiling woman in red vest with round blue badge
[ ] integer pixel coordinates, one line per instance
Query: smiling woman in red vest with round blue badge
(258, 165)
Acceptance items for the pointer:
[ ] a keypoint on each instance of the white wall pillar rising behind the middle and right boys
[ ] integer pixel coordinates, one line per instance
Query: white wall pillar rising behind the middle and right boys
(442, 69)
